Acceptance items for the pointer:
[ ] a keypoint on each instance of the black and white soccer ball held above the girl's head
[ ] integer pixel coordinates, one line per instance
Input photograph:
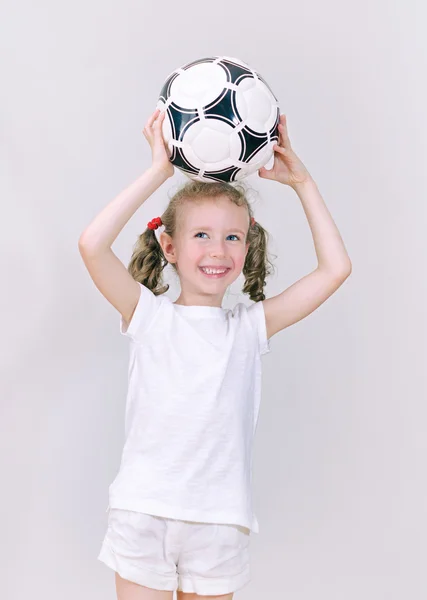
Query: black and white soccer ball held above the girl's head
(221, 119)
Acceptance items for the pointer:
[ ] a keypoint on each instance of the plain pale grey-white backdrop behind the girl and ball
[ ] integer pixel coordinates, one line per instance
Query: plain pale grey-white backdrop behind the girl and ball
(340, 455)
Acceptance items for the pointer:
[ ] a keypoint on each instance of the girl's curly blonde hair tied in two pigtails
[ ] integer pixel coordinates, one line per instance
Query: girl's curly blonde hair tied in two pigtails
(148, 261)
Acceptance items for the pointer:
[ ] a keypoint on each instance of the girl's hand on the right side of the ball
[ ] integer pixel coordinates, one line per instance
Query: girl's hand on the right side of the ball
(287, 167)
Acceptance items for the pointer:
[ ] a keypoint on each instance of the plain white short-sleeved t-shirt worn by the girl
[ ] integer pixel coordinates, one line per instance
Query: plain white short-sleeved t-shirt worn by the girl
(191, 411)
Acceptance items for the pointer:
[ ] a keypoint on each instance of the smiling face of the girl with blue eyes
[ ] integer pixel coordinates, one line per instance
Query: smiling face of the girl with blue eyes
(211, 233)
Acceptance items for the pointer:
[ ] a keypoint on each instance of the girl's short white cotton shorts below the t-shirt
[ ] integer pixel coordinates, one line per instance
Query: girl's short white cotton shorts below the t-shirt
(168, 554)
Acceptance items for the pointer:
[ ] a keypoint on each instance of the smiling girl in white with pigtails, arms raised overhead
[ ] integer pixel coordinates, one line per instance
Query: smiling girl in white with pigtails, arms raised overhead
(181, 512)
